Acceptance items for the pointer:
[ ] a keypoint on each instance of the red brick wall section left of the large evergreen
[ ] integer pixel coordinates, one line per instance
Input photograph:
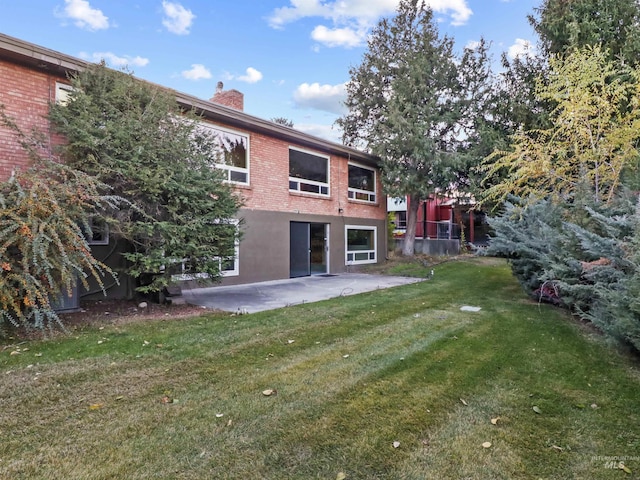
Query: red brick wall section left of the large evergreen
(25, 95)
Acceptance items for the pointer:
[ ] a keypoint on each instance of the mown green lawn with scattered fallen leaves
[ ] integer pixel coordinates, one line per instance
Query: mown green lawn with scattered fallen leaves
(184, 399)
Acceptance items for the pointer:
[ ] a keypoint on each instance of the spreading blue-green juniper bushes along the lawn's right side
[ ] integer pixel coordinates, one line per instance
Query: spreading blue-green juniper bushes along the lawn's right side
(583, 257)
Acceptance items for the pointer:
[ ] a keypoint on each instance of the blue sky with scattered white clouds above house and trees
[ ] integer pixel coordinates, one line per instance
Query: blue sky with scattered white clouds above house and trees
(290, 58)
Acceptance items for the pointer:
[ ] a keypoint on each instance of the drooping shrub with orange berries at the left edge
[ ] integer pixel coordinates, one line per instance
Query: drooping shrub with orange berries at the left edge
(43, 249)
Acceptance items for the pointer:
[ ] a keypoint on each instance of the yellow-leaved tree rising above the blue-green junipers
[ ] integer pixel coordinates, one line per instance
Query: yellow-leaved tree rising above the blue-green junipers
(592, 139)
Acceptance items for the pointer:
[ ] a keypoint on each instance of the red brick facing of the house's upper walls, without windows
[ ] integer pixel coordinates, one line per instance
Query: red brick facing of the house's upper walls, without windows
(25, 93)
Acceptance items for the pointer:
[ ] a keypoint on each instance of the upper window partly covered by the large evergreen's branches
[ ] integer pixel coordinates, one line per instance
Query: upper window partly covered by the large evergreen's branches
(232, 153)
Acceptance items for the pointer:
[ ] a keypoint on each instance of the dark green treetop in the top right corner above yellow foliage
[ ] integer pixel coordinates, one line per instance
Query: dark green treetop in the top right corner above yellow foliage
(563, 25)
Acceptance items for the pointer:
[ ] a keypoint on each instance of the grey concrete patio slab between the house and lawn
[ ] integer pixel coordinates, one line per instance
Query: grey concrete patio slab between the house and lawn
(256, 297)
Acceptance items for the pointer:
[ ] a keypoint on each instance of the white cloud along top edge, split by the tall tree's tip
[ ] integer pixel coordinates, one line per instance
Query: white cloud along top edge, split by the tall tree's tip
(363, 13)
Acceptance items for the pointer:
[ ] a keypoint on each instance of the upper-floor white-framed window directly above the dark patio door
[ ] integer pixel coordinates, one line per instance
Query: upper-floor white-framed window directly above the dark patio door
(308, 172)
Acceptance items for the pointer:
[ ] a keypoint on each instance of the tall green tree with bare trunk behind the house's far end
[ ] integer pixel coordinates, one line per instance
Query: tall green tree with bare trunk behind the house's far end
(413, 102)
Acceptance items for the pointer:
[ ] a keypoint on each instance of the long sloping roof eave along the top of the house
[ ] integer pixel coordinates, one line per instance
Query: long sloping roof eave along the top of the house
(45, 59)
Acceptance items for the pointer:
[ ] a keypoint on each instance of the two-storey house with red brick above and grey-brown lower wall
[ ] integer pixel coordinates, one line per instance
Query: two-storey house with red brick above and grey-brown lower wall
(311, 206)
